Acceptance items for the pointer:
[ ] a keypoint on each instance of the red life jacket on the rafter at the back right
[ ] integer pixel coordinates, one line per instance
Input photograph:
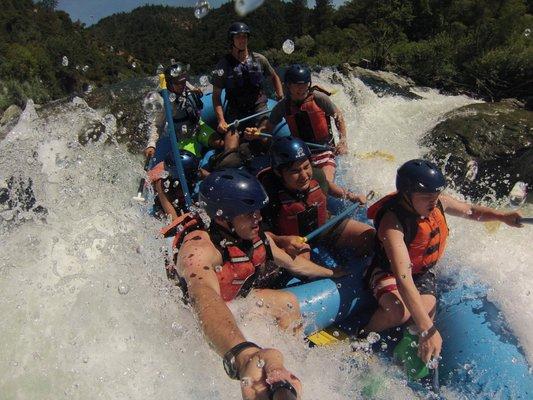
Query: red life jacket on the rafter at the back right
(308, 121)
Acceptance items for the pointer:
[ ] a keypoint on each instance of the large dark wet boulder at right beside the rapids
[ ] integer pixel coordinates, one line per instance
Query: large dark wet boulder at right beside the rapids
(497, 137)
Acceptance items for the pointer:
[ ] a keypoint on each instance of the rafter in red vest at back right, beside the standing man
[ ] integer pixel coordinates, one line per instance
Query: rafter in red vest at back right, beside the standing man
(308, 114)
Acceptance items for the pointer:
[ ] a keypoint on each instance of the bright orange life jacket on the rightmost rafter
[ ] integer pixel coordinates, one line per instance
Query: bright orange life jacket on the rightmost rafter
(425, 238)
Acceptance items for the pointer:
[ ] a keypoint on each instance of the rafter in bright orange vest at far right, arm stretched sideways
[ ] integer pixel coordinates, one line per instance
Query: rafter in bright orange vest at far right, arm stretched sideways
(412, 232)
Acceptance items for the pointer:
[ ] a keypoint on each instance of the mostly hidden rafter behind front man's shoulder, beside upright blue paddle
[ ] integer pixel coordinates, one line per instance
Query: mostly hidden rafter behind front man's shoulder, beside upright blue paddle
(169, 200)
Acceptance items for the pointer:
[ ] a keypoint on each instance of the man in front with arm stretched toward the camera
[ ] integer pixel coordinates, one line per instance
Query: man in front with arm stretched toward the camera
(235, 258)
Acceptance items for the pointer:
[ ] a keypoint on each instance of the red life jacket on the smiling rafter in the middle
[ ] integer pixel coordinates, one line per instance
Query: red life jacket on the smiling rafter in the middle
(301, 214)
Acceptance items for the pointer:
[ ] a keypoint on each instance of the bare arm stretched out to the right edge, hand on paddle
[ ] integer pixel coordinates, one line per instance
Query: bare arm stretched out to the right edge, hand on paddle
(478, 213)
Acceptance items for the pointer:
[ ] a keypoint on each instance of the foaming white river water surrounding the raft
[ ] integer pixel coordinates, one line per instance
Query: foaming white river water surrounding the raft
(88, 312)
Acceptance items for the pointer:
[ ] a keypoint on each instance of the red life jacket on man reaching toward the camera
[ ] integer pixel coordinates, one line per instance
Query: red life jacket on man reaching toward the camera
(242, 268)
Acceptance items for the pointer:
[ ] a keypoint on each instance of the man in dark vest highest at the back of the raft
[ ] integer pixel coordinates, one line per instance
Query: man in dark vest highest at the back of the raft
(242, 73)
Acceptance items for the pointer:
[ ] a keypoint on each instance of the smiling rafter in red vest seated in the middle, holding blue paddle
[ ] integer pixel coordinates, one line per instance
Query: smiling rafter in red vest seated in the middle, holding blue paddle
(298, 195)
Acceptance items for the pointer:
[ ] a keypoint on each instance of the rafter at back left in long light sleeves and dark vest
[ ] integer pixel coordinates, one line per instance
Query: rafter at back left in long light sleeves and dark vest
(193, 133)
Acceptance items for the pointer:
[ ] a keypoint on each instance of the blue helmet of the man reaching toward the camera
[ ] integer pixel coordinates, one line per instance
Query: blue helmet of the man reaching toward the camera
(231, 192)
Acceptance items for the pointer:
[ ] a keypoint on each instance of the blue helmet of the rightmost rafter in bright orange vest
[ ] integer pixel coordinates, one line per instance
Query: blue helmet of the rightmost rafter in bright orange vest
(419, 176)
